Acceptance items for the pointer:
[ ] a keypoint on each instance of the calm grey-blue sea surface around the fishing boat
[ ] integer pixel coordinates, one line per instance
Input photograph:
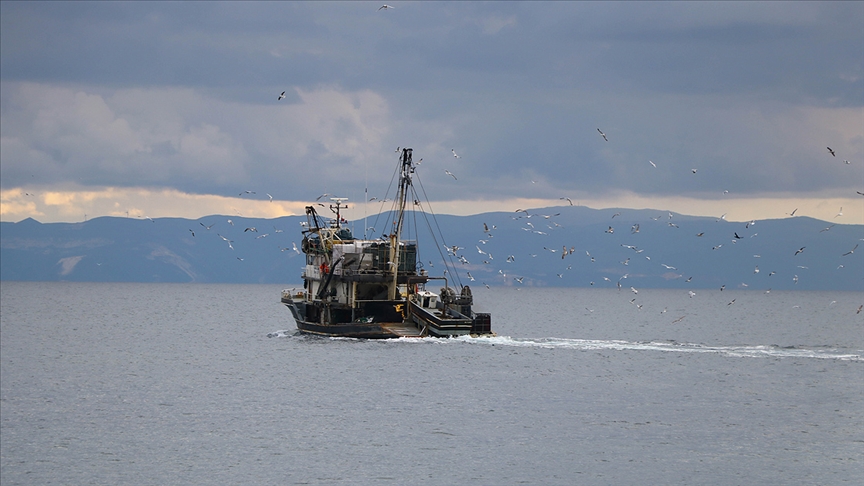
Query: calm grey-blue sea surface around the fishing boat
(180, 384)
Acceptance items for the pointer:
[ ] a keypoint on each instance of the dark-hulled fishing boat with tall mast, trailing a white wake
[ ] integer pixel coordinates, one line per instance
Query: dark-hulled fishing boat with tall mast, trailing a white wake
(376, 288)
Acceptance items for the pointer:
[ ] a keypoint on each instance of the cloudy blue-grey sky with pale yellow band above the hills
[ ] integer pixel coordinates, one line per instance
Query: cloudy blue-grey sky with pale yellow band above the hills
(170, 109)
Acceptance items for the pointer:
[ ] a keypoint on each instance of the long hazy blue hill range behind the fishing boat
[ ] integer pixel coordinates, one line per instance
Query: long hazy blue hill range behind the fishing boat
(644, 249)
